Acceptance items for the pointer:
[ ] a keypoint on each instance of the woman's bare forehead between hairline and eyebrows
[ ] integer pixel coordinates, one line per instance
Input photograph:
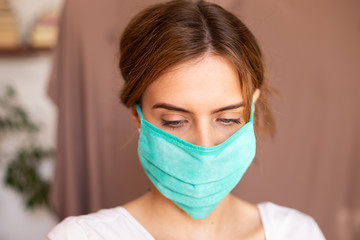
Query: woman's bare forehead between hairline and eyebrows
(209, 80)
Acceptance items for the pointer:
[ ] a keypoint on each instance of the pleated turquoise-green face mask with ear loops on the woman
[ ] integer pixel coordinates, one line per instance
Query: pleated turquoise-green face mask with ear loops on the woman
(195, 178)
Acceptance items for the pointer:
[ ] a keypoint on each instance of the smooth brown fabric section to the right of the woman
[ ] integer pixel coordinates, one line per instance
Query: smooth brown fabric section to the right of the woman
(312, 50)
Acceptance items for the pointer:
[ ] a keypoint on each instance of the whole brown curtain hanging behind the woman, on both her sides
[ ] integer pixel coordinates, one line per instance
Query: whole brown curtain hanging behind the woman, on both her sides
(312, 52)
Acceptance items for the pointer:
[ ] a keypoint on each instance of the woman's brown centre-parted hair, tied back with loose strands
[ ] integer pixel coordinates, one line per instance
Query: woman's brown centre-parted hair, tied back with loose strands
(167, 34)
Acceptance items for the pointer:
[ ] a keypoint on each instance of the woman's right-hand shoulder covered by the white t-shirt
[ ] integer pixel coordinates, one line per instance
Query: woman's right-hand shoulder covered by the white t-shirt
(286, 223)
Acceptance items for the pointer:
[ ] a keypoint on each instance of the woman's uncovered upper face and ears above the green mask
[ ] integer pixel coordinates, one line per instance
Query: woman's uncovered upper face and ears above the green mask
(199, 101)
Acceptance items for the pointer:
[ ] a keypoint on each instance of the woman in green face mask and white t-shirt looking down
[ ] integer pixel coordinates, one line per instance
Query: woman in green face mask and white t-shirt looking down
(194, 78)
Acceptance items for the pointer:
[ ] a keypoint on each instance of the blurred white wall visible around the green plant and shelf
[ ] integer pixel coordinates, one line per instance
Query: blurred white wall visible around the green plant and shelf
(29, 75)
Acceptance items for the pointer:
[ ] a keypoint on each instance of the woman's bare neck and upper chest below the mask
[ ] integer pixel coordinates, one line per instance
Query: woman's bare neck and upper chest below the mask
(233, 218)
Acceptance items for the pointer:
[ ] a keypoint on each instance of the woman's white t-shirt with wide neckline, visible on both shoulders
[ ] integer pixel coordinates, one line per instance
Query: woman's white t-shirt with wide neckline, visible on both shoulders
(280, 223)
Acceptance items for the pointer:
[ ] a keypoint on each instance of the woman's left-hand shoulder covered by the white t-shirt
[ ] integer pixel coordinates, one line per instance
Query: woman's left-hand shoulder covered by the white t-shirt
(107, 223)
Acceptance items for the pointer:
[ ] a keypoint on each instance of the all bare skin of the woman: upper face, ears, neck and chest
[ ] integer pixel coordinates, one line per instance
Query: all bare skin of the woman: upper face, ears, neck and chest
(201, 88)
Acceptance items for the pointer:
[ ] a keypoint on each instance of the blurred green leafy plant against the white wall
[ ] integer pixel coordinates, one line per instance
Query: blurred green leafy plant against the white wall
(22, 169)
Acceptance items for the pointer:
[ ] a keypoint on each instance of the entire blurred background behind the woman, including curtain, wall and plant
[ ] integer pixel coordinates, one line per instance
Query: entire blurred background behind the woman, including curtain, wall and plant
(67, 146)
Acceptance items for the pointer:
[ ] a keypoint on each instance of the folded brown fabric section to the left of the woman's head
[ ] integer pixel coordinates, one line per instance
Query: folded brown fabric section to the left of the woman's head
(96, 157)
